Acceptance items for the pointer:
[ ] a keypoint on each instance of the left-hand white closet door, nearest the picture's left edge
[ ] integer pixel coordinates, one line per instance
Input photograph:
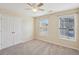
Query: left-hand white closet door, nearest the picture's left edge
(7, 31)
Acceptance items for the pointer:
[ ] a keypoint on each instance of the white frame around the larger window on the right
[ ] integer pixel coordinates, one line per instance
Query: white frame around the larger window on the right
(75, 28)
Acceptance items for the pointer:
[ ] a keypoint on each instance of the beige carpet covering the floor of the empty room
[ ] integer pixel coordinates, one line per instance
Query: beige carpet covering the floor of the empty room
(37, 47)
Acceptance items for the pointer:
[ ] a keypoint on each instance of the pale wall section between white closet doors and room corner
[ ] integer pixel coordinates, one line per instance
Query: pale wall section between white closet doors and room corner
(27, 28)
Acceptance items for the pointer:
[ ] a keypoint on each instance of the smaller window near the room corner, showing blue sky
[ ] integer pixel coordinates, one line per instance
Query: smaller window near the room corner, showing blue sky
(44, 27)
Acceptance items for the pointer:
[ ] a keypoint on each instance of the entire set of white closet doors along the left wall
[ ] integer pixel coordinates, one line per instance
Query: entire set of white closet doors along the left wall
(10, 31)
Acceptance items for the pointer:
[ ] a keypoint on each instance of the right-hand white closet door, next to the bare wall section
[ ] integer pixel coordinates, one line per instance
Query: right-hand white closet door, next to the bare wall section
(17, 30)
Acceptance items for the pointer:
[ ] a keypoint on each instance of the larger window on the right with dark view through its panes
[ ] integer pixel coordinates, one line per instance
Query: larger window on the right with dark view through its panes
(67, 27)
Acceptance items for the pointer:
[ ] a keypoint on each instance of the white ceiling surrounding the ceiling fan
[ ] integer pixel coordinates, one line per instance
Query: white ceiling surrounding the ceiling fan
(49, 8)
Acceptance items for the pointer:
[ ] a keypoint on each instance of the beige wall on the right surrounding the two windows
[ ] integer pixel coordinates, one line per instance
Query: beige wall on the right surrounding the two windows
(53, 35)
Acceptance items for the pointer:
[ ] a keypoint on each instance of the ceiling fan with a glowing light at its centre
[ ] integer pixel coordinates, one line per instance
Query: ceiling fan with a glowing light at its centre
(35, 7)
